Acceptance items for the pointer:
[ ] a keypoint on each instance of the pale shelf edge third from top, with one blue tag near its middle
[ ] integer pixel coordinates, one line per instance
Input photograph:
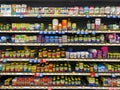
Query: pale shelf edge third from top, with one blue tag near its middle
(58, 44)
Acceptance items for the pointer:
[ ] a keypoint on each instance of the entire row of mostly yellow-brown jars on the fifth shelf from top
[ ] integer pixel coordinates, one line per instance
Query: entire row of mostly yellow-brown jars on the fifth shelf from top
(60, 67)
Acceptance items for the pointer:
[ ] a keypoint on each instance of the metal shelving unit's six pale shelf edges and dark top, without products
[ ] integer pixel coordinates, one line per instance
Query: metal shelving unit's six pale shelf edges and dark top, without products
(66, 3)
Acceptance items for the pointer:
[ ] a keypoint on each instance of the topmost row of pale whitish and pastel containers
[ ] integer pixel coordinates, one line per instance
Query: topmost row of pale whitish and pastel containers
(18, 9)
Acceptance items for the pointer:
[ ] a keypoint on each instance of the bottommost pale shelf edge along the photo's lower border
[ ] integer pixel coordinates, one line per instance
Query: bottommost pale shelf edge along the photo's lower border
(60, 87)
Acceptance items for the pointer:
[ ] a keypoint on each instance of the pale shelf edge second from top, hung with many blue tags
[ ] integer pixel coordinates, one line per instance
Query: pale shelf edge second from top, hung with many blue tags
(50, 32)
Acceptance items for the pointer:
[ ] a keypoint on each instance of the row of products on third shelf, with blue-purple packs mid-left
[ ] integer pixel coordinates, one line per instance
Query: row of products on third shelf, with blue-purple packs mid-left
(110, 38)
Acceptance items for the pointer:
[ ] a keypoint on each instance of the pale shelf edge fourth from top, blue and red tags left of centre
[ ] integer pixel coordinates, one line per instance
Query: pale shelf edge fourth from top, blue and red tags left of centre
(63, 59)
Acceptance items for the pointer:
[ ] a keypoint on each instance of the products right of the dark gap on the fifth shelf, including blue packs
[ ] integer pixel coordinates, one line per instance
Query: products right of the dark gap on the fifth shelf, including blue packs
(97, 67)
